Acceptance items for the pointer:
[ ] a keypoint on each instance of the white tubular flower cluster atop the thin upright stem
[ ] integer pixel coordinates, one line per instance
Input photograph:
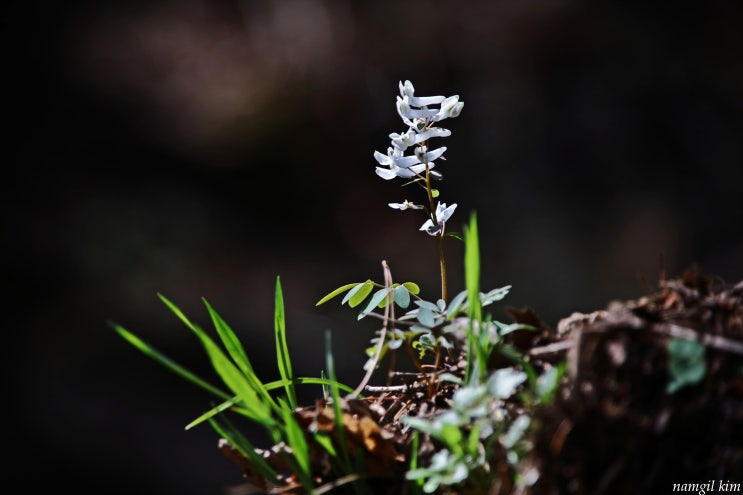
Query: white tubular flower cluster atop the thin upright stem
(416, 113)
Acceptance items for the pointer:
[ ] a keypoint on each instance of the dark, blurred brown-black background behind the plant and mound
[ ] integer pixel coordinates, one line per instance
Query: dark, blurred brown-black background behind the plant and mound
(204, 148)
